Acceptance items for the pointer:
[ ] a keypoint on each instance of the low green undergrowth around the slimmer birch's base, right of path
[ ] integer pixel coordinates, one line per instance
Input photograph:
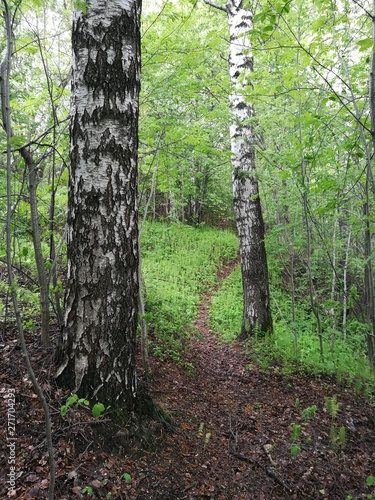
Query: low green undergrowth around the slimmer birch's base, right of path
(294, 345)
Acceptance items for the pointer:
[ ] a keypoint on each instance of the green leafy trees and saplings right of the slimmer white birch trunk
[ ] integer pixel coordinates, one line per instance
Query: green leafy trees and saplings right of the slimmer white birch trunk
(311, 90)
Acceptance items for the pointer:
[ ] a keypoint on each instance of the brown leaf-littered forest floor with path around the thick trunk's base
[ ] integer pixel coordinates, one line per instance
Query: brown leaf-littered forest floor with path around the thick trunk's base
(239, 432)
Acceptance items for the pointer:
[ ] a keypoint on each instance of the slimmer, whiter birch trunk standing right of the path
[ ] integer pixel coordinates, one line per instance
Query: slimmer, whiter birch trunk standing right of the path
(247, 206)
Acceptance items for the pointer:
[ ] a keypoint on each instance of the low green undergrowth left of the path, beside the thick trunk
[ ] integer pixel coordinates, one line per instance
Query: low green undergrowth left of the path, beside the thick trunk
(179, 262)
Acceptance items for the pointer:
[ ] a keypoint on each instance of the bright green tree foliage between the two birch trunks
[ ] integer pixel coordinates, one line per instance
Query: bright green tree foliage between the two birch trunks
(184, 115)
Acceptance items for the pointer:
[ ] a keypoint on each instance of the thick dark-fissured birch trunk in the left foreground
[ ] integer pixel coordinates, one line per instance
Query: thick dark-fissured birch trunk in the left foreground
(96, 355)
